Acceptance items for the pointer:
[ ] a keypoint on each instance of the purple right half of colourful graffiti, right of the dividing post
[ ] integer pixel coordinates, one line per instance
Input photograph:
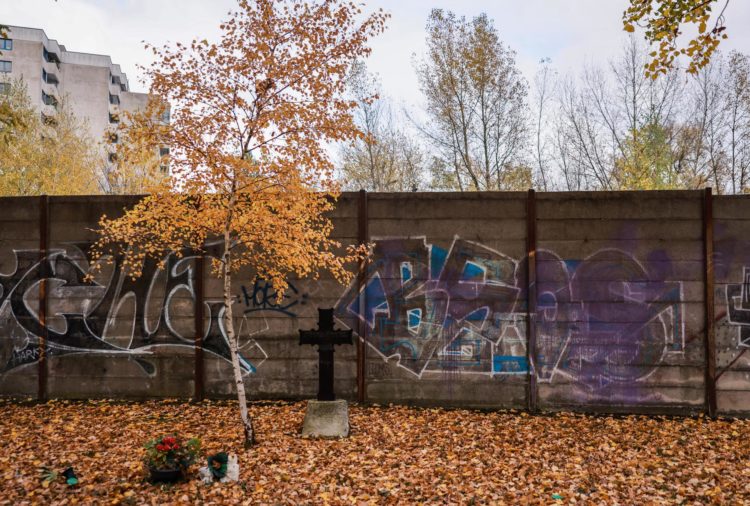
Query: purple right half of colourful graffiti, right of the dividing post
(605, 319)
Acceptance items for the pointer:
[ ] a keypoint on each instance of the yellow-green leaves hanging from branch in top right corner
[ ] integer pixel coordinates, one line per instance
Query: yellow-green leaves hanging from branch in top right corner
(664, 22)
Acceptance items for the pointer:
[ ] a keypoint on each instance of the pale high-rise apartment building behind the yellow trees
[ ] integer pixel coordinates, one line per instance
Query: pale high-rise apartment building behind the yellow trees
(97, 89)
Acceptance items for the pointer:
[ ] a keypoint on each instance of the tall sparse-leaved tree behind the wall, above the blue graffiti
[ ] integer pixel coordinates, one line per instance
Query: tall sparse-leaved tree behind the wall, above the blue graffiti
(475, 103)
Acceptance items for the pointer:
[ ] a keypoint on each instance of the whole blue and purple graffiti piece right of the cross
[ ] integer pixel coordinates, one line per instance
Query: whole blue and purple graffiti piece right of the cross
(600, 320)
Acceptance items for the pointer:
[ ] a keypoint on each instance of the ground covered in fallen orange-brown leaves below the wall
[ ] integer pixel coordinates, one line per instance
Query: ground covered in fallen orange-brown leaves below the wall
(394, 455)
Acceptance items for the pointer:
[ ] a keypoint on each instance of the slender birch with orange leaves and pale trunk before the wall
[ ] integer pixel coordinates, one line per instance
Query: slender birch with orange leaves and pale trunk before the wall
(252, 114)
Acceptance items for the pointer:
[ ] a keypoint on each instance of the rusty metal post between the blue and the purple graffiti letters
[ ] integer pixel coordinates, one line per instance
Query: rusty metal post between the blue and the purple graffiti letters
(531, 399)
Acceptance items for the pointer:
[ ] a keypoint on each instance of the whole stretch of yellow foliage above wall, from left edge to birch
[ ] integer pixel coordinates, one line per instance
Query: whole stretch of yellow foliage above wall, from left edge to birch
(54, 154)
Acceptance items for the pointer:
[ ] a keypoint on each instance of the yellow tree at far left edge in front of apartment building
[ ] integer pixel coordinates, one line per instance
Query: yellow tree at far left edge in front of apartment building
(44, 154)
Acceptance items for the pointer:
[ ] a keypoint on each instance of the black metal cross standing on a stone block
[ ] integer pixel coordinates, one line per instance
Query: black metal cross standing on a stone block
(325, 338)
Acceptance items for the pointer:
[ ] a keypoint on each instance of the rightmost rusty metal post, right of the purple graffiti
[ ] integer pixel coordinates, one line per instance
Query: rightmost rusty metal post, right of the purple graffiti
(710, 337)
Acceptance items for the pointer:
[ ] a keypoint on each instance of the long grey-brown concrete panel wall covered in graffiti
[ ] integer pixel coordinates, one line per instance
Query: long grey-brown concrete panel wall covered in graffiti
(619, 322)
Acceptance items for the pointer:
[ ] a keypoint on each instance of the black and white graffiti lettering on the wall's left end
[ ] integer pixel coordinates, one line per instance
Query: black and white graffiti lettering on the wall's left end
(116, 316)
